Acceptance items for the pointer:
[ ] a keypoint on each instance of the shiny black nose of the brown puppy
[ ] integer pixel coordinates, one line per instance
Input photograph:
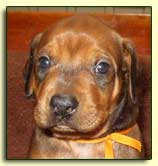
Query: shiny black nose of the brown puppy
(63, 105)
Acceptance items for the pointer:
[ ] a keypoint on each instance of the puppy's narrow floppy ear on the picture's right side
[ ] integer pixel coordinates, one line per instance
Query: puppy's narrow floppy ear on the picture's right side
(130, 65)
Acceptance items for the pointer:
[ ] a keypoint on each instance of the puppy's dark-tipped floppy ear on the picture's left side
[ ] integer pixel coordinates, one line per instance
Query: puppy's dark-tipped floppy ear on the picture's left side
(29, 67)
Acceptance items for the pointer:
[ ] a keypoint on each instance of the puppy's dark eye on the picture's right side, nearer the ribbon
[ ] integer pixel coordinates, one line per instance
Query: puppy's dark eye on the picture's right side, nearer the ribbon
(102, 67)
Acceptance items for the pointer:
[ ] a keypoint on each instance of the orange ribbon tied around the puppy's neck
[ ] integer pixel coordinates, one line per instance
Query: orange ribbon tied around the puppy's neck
(116, 137)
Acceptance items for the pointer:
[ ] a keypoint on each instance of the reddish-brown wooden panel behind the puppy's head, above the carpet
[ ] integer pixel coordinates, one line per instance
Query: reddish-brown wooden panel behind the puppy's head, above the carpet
(22, 26)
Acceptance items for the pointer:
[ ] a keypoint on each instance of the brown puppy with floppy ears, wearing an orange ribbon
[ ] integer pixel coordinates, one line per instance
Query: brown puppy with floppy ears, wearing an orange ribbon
(83, 76)
